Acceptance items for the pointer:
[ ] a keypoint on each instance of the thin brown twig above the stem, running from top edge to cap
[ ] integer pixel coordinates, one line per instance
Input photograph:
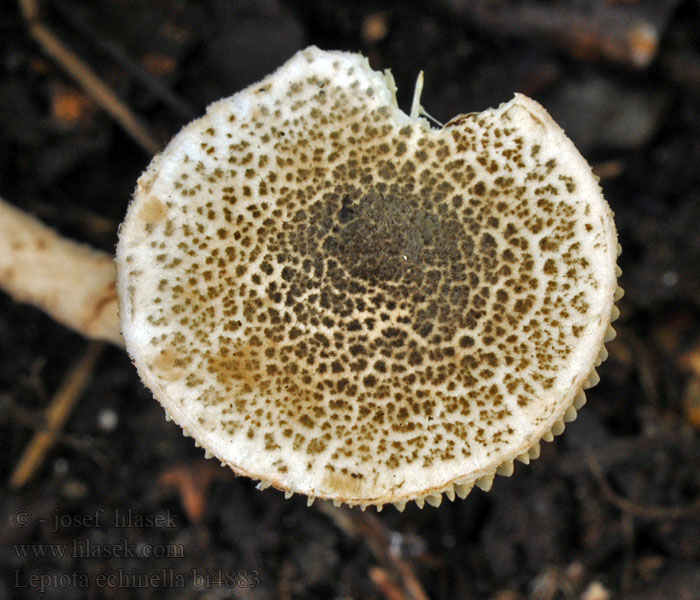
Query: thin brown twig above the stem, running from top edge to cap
(86, 78)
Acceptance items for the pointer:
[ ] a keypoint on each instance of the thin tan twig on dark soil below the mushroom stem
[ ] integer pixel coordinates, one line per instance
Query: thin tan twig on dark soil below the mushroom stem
(56, 414)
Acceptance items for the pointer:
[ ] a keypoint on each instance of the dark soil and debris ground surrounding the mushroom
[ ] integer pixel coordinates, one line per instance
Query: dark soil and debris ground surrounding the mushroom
(611, 508)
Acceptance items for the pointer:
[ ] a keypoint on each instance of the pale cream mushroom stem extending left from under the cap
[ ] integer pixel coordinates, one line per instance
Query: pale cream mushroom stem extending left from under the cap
(72, 282)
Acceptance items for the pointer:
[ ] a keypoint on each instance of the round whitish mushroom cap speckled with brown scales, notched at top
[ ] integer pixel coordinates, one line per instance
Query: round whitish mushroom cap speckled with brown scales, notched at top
(338, 300)
